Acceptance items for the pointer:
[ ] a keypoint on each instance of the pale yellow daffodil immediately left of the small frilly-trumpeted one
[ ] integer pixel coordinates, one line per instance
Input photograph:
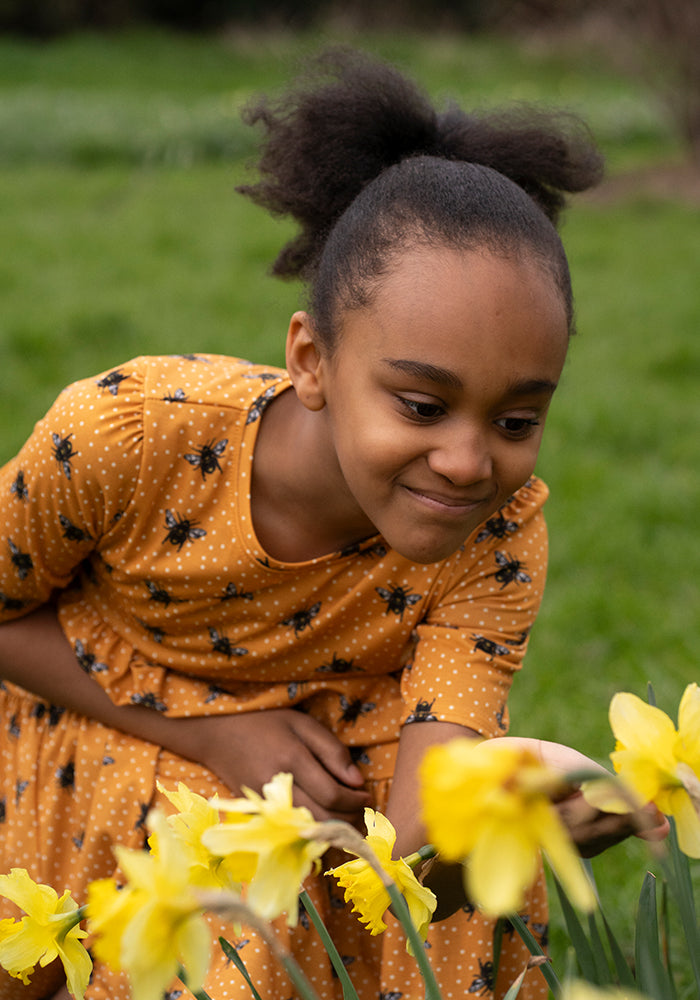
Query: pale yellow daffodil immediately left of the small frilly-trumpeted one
(278, 834)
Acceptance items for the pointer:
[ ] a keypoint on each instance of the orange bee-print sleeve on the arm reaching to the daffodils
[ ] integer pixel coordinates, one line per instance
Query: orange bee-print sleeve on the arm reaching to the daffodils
(475, 633)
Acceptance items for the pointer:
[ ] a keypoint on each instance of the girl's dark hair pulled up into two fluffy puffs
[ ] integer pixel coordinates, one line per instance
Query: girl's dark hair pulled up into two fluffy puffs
(358, 156)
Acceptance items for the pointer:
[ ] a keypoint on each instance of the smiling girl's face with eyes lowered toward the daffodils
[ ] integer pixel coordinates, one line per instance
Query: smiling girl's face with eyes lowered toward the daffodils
(435, 397)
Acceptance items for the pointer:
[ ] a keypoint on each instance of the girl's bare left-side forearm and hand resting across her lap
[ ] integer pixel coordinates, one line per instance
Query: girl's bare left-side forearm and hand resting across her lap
(35, 655)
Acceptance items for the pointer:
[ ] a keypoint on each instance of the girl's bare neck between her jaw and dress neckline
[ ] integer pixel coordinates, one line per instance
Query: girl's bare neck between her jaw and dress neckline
(300, 505)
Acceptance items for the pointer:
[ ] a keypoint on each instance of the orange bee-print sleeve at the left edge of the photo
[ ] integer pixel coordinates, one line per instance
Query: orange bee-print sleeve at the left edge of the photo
(60, 496)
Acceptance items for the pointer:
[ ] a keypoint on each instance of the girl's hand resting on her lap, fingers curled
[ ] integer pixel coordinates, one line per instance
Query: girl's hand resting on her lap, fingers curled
(249, 748)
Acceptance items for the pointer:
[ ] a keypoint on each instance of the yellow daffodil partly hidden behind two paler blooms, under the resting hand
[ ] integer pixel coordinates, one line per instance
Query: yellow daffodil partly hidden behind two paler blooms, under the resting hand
(195, 815)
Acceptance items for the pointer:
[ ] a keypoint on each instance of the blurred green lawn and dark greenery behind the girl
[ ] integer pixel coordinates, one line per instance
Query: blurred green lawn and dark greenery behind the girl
(122, 234)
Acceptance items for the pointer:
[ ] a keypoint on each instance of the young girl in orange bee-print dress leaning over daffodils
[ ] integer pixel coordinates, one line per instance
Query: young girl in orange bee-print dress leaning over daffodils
(212, 571)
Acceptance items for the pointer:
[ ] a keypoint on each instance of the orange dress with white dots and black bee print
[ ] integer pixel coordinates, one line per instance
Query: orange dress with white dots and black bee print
(131, 502)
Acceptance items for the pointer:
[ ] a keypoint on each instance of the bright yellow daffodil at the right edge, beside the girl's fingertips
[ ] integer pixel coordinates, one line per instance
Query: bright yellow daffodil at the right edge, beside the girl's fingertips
(656, 762)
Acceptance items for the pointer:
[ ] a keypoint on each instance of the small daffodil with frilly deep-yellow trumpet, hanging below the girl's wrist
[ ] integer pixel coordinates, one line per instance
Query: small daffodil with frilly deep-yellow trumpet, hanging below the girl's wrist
(364, 888)
